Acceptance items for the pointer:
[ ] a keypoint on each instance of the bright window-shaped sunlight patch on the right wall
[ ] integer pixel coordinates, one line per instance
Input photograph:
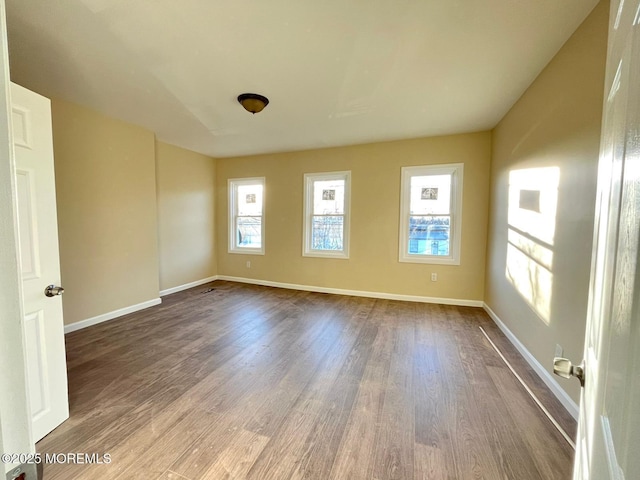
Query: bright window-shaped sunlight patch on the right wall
(533, 201)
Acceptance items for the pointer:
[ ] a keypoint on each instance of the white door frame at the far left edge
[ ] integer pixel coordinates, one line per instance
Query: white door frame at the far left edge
(15, 426)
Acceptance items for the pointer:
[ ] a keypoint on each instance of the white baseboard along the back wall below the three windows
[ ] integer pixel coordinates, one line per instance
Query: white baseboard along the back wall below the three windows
(355, 293)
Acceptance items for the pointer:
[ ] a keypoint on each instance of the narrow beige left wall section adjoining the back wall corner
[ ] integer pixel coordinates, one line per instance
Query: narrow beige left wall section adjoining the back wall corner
(185, 184)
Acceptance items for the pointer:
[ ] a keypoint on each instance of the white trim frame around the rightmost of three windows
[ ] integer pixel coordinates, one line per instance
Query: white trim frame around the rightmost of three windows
(455, 236)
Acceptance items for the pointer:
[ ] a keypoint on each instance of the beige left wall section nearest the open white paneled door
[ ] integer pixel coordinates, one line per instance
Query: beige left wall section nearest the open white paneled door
(106, 196)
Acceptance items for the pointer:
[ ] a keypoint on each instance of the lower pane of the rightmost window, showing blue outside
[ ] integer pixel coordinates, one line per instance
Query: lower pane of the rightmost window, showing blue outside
(429, 235)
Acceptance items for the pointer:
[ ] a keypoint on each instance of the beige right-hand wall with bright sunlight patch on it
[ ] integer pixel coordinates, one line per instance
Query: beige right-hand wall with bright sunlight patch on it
(539, 289)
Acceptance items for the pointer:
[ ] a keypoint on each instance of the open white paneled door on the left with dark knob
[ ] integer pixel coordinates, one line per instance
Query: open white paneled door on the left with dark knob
(38, 232)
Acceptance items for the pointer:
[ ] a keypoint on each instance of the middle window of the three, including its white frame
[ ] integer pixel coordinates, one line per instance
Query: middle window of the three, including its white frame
(326, 214)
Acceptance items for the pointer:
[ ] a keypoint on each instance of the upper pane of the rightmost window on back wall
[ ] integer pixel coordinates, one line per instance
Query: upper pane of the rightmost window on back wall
(430, 194)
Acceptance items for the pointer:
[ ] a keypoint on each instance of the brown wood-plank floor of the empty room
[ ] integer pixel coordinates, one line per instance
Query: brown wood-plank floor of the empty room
(265, 383)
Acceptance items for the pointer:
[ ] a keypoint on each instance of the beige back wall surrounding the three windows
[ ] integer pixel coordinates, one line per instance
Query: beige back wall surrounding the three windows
(375, 183)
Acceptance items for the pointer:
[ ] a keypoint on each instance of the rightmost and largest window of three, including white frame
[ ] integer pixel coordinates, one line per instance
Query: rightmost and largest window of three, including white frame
(431, 214)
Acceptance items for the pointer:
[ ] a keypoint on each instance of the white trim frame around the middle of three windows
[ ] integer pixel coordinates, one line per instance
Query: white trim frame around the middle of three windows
(309, 179)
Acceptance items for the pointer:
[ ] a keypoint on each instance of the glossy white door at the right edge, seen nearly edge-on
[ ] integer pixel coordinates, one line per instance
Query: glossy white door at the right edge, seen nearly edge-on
(608, 444)
